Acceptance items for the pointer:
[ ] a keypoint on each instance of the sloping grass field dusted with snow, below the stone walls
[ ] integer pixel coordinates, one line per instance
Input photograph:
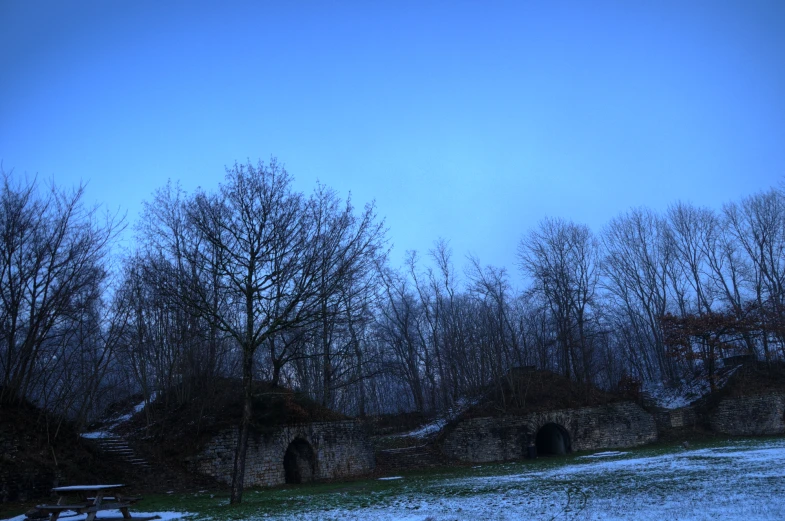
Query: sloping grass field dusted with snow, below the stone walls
(743, 479)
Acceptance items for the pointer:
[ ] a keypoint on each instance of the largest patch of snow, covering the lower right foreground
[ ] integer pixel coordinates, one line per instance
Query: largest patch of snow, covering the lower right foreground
(677, 485)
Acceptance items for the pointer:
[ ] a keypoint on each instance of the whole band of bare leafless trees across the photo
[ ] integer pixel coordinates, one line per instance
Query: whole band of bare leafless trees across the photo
(258, 281)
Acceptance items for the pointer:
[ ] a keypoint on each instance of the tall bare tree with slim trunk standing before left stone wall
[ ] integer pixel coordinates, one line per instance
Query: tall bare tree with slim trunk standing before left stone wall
(260, 260)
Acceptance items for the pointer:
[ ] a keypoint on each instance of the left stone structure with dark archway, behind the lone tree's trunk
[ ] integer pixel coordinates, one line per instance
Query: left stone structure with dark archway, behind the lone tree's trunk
(291, 454)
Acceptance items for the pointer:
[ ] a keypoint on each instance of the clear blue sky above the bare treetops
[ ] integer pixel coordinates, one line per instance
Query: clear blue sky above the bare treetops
(468, 121)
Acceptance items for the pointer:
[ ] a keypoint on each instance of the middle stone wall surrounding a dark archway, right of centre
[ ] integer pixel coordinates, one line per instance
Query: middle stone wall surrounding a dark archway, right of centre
(623, 424)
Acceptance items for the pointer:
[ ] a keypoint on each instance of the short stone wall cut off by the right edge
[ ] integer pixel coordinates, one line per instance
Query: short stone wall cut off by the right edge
(750, 415)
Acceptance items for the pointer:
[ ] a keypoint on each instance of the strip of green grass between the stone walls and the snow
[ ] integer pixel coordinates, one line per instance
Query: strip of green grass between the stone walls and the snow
(373, 492)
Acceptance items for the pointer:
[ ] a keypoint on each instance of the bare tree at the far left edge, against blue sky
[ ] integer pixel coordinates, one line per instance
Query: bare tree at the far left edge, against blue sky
(53, 254)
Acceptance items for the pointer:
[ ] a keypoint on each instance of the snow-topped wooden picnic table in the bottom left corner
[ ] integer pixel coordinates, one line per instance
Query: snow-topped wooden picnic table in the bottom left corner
(91, 499)
